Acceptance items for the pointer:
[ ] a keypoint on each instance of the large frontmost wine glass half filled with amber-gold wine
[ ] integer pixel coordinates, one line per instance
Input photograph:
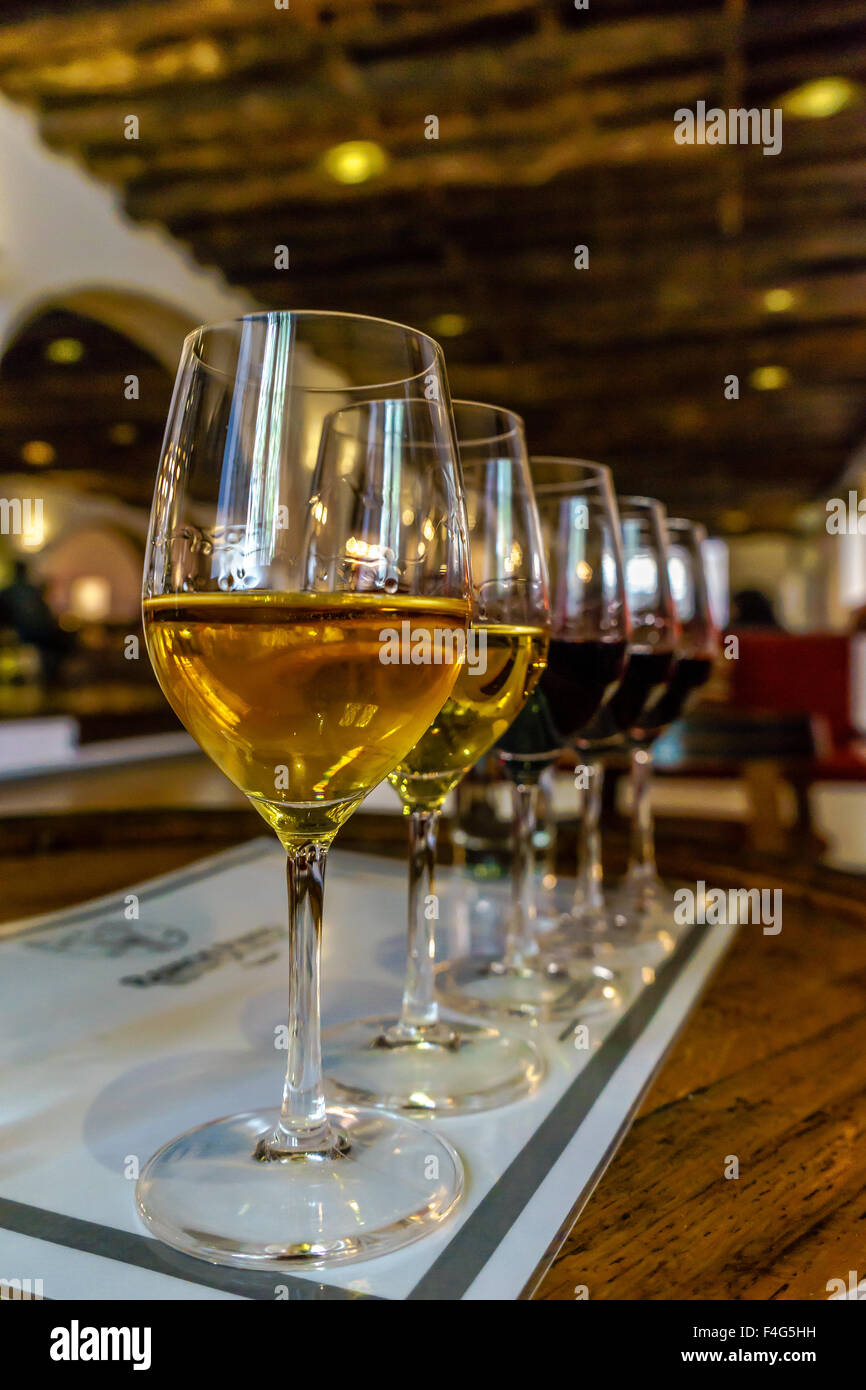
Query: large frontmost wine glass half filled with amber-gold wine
(280, 566)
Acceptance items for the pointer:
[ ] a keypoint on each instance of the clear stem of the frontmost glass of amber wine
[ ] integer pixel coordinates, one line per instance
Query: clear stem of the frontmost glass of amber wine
(304, 1125)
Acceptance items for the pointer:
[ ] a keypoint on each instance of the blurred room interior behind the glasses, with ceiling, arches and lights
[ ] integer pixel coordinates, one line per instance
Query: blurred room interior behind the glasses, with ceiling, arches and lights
(505, 176)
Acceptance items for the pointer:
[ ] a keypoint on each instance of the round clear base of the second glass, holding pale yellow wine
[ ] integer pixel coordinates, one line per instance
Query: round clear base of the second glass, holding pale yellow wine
(451, 1068)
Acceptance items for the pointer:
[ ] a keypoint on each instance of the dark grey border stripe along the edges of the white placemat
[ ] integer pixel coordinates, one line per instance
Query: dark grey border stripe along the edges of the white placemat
(473, 1245)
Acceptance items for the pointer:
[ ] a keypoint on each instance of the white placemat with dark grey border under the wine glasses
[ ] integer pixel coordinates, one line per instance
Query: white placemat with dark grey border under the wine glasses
(122, 1032)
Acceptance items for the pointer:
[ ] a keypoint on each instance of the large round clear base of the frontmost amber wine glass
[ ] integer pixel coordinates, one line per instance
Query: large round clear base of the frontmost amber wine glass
(390, 1184)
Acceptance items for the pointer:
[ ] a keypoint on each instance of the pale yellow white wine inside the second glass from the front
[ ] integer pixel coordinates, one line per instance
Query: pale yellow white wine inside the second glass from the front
(480, 710)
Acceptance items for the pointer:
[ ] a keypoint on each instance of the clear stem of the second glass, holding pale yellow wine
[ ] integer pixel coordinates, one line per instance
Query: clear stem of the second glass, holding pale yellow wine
(420, 1007)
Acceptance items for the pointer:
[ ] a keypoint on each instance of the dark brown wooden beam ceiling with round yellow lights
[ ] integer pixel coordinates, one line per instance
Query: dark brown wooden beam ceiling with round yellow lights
(555, 130)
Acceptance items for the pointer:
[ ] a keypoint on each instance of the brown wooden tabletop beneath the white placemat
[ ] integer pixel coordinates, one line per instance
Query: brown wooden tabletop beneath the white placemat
(771, 1070)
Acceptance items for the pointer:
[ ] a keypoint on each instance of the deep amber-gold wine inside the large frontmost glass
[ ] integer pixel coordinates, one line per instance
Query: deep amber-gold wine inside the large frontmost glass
(290, 697)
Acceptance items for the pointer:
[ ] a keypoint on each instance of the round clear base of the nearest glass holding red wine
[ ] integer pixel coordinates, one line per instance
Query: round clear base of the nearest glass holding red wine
(543, 992)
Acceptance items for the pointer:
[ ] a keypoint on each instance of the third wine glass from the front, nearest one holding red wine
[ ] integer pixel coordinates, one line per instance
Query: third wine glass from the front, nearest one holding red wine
(589, 635)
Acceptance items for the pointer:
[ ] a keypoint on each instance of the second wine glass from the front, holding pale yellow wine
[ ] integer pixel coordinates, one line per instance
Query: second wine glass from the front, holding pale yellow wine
(423, 1060)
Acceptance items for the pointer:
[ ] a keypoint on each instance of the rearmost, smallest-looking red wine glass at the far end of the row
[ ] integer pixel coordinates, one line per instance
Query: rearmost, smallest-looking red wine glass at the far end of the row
(696, 651)
